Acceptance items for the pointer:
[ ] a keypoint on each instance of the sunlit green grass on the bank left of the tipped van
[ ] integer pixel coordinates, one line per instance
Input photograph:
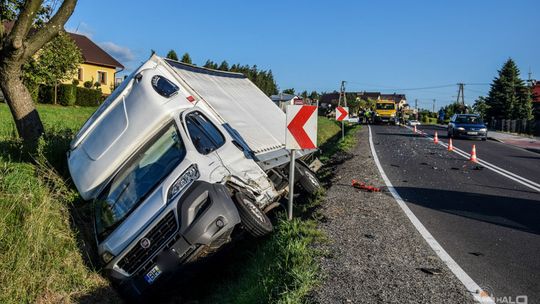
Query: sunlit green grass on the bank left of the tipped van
(40, 260)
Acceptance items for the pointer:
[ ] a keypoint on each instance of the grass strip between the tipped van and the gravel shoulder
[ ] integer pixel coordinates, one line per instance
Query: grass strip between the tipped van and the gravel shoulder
(283, 268)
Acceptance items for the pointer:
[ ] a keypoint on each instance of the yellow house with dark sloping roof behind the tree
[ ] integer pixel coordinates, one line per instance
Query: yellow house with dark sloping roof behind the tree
(97, 66)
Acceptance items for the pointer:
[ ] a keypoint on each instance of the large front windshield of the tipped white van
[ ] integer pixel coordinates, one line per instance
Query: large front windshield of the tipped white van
(146, 169)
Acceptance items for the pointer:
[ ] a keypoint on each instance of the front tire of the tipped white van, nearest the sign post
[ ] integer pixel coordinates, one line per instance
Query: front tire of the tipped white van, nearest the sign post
(254, 220)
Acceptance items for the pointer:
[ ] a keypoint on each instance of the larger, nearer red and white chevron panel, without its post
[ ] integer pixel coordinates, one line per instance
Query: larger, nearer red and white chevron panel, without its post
(301, 127)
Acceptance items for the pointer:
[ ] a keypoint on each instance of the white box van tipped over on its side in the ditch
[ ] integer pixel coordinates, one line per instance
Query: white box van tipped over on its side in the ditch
(174, 160)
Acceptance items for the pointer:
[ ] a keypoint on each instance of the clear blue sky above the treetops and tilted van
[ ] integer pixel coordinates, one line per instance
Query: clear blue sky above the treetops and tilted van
(312, 45)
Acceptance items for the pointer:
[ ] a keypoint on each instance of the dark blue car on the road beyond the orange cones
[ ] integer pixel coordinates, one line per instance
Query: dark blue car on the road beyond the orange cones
(467, 125)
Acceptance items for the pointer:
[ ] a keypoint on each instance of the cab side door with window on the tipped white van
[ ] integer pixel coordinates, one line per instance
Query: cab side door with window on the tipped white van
(205, 145)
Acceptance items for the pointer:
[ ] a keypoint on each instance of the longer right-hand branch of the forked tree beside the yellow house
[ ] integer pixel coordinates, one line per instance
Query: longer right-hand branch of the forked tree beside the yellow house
(50, 29)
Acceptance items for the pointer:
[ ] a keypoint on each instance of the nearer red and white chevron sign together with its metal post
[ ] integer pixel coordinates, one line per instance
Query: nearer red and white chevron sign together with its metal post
(301, 133)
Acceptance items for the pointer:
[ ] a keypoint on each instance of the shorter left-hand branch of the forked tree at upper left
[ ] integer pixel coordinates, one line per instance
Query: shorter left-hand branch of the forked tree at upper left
(23, 23)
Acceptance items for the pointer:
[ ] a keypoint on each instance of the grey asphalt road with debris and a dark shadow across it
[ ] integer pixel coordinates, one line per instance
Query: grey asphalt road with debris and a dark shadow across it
(488, 223)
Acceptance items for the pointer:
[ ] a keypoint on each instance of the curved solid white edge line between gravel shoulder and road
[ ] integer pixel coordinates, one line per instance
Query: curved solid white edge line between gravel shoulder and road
(465, 279)
